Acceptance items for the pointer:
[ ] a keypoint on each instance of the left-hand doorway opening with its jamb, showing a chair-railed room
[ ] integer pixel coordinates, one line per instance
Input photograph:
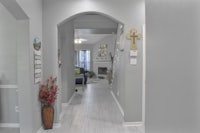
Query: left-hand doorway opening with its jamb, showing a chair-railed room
(16, 114)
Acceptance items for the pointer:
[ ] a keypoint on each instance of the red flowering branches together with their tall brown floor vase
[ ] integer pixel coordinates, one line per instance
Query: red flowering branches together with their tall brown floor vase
(47, 97)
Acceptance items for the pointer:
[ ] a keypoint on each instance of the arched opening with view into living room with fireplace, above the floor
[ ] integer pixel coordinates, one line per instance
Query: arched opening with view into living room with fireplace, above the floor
(100, 46)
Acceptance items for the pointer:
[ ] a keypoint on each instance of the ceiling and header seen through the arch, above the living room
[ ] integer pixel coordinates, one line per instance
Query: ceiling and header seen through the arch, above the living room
(93, 28)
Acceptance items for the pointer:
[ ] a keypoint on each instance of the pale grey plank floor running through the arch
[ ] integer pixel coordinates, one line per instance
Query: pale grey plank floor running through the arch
(93, 111)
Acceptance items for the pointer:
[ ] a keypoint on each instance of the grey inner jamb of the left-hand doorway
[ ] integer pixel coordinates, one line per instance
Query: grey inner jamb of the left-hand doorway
(23, 77)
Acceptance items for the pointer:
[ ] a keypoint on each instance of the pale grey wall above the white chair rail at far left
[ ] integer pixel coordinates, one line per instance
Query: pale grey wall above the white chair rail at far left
(8, 52)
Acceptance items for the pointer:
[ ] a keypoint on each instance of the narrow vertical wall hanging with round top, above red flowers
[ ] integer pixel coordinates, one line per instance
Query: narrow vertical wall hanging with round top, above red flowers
(37, 60)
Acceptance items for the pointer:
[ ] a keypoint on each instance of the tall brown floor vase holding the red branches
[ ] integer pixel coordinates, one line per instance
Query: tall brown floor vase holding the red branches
(47, 117)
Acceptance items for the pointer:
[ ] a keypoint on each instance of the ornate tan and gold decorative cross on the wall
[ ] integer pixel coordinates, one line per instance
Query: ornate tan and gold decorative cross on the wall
(133, 36)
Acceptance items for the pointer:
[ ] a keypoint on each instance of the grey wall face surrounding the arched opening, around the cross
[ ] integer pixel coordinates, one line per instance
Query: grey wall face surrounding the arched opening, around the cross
(129, 76)
